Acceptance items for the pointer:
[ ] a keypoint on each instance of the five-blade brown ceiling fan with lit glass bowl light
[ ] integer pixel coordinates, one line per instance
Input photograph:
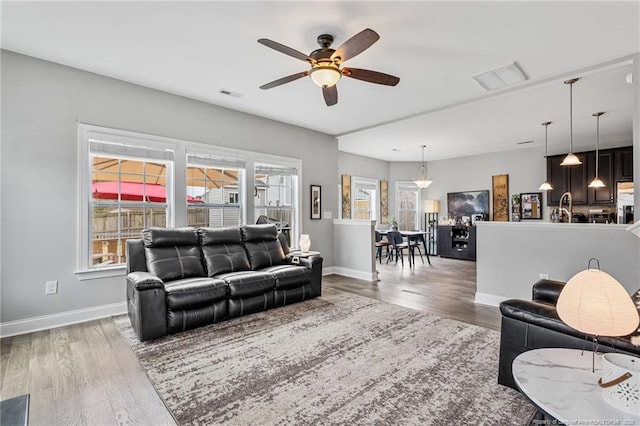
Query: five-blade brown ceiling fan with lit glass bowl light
(325, 64)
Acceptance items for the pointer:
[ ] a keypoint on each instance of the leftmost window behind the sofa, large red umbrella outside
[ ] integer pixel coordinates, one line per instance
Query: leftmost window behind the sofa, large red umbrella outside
(128, 192)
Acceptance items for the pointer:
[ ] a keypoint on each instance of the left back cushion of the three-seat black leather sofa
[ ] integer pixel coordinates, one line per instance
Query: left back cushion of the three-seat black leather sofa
(173, 253)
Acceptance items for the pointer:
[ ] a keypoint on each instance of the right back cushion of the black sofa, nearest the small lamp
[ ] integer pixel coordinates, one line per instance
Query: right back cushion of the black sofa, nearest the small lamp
(263, 246)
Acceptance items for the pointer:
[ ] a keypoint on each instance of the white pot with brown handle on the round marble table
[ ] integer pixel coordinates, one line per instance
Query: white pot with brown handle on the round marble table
(620, 382)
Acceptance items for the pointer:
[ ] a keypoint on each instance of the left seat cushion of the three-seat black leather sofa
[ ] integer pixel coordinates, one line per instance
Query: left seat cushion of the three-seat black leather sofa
(191, 293)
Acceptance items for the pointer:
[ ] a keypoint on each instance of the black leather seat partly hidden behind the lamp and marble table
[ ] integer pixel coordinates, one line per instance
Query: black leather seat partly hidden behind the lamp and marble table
(535, 324)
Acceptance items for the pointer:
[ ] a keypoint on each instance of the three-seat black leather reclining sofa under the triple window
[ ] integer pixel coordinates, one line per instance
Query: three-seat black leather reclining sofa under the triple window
(182, 278)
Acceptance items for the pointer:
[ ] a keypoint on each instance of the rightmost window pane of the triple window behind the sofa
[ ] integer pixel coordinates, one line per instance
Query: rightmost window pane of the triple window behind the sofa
(276, 198)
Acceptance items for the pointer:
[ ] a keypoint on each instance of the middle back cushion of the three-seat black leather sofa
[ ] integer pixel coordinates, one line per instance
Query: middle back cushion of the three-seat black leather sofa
(223, 250)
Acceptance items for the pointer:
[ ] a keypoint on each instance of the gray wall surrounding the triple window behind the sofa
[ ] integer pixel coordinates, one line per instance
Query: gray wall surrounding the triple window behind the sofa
(41, 102)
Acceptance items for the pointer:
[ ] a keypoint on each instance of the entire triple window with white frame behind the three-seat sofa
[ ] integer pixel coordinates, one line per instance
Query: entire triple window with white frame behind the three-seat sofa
(129, 181)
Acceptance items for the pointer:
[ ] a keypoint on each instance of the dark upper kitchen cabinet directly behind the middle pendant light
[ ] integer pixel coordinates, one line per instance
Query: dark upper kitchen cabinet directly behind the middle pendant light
(567, 179)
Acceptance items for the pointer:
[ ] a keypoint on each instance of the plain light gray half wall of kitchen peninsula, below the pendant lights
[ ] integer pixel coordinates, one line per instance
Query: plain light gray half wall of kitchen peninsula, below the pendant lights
(511, 256)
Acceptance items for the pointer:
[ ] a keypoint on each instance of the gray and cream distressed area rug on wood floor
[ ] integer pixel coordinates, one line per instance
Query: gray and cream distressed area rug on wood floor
(336, 360)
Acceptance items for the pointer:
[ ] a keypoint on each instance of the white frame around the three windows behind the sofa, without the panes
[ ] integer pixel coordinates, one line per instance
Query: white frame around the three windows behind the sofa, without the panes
(176, 185)
